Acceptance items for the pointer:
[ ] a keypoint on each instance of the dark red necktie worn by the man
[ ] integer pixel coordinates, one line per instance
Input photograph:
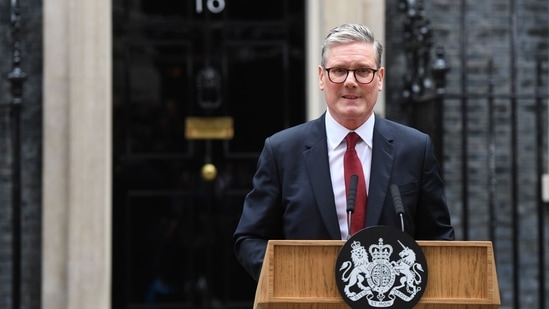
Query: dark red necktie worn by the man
(352, 166)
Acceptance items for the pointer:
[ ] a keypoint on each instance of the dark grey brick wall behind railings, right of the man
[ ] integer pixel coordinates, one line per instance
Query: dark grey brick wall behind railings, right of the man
(488, 36)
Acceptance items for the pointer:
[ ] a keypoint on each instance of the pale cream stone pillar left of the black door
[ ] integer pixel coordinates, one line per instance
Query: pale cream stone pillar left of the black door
(76, 198)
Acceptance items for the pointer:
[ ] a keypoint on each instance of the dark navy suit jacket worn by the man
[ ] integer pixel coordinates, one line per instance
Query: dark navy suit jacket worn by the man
(292, 195)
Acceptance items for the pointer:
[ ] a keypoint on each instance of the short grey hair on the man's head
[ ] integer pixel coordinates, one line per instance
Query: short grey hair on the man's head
(348, 33)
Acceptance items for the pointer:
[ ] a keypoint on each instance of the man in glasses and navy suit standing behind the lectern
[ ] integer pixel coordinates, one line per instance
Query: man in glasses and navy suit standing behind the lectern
(299, 187)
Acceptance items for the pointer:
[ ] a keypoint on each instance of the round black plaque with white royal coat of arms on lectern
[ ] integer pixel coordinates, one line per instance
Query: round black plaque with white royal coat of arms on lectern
(381, 267)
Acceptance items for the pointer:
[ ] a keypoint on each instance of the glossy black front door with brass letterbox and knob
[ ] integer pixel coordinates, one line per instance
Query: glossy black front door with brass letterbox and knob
(198, 85)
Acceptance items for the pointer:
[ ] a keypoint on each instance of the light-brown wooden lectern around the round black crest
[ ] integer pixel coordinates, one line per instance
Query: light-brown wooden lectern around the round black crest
(299, 274)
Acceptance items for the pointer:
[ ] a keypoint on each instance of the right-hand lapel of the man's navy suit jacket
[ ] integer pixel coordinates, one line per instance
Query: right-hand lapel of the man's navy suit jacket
(382, 162)
